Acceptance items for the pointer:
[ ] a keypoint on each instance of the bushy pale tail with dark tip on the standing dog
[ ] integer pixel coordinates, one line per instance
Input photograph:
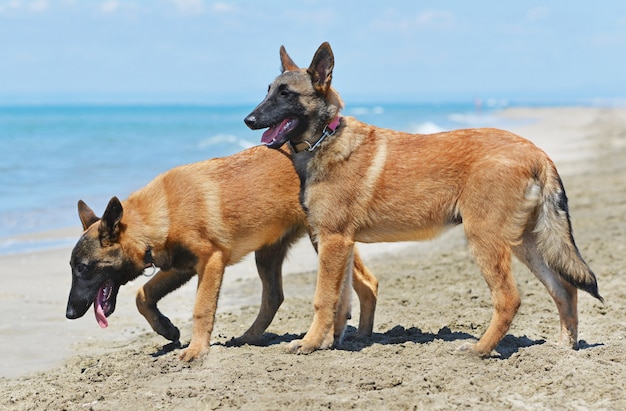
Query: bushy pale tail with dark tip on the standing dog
(553, 231)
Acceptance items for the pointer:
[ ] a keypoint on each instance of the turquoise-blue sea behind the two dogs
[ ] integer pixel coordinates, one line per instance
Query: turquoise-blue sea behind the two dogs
(53, 155)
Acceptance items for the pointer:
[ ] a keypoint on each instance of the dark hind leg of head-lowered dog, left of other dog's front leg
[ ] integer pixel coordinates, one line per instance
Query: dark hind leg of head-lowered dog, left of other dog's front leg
(269, 262)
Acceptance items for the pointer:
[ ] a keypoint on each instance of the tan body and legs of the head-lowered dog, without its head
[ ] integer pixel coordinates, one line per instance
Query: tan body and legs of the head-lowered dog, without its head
(218, 211)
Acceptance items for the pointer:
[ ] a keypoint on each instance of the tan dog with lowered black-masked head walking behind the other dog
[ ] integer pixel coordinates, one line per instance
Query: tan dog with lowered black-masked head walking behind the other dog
(197, 219)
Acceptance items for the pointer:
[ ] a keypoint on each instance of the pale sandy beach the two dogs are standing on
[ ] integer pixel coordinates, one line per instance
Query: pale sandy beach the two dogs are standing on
(432, 298)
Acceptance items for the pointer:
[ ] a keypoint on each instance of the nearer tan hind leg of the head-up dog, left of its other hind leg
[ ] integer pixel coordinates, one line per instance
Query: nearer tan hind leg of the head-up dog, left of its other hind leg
(493, 255)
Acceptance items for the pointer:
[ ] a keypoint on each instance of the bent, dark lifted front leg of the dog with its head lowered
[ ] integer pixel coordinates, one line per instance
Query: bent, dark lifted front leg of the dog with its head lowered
(149, 295)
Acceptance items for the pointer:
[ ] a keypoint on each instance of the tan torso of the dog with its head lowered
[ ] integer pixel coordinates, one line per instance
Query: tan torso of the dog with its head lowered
(223, 199)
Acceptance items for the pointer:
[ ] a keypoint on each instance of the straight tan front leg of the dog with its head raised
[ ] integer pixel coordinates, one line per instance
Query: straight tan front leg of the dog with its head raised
(335, 251)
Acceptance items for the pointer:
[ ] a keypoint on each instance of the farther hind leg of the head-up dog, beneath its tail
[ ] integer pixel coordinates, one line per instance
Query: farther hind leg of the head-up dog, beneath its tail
(563, 293)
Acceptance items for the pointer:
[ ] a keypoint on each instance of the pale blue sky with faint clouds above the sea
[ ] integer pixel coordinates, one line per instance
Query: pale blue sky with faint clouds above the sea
(227, 52)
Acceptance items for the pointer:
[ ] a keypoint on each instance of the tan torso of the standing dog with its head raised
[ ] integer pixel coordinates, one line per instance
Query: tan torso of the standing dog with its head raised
(413, 186)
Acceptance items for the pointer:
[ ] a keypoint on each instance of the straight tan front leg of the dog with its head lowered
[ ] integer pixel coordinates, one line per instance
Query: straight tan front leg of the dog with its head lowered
(210, 275)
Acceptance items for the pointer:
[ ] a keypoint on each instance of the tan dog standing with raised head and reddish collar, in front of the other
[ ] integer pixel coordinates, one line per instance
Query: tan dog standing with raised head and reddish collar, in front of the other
(364, 183)
